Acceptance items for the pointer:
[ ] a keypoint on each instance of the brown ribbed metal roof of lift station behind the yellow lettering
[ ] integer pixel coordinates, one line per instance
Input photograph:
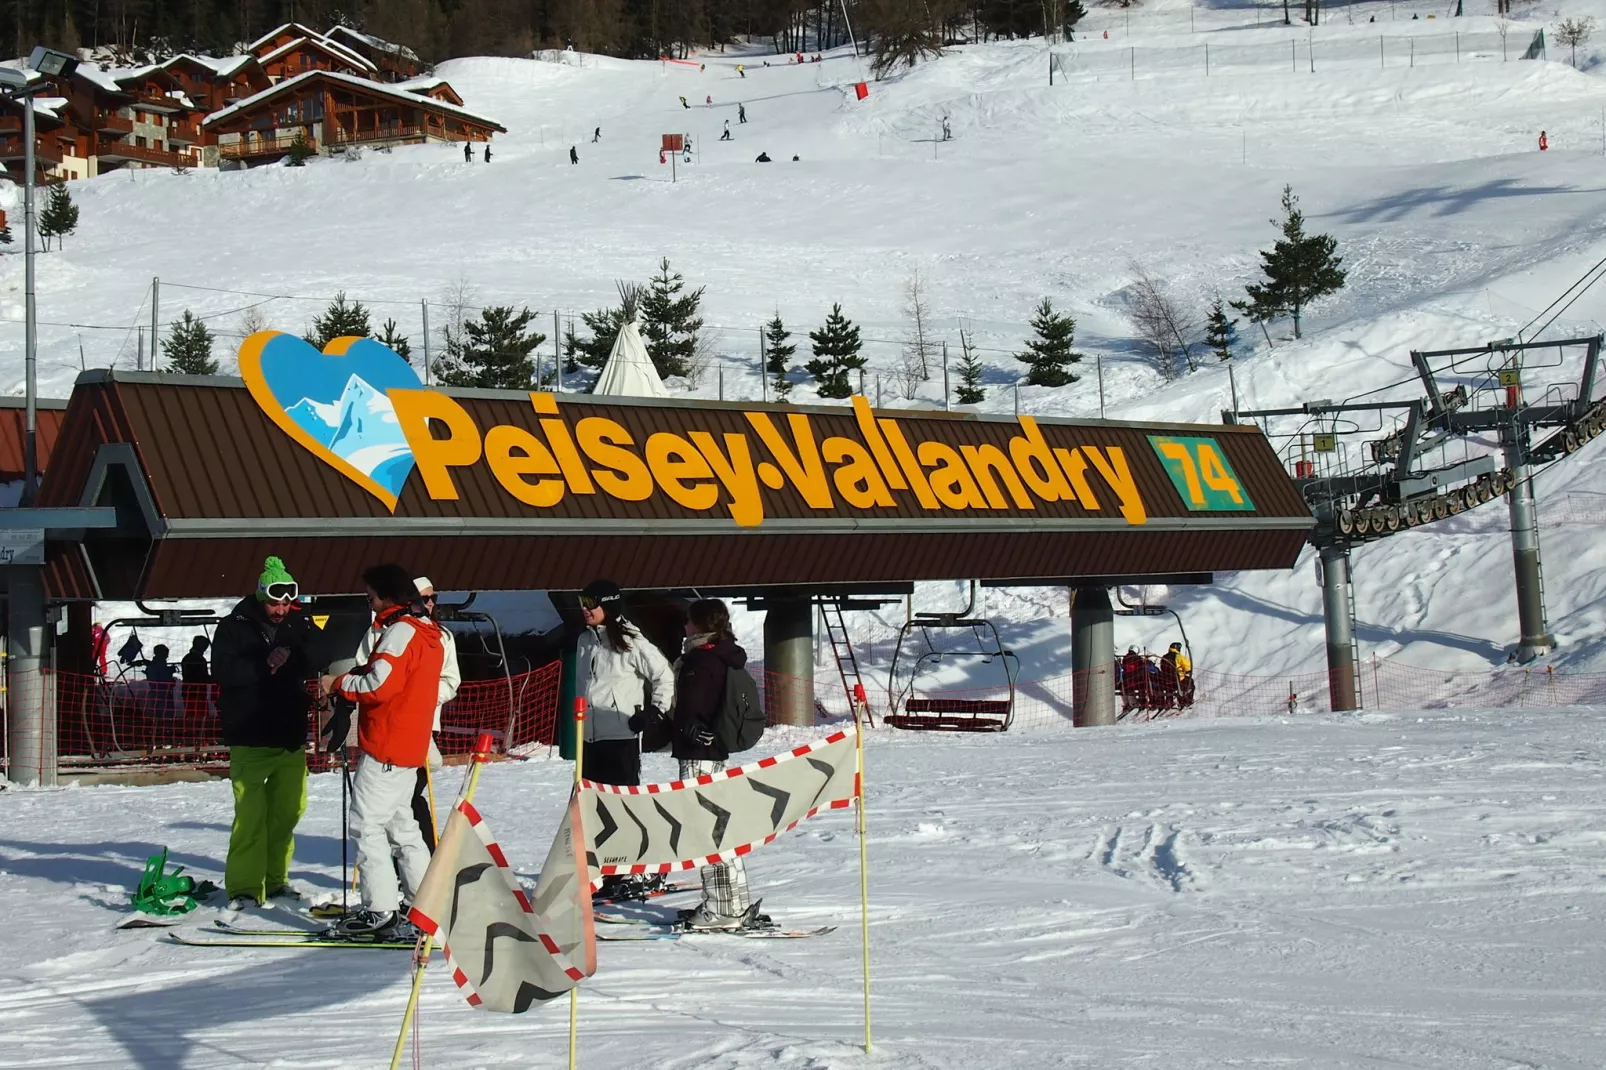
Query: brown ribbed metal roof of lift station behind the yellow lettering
(224, 486)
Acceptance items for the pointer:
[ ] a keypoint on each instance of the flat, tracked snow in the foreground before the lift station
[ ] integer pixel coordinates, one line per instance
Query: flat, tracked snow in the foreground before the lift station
(1369, 891)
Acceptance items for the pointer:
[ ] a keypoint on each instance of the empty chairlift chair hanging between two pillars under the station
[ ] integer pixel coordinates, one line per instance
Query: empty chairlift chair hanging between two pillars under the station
(910, 709)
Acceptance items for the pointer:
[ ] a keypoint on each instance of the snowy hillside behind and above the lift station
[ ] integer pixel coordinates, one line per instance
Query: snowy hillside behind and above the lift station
(1454, 232)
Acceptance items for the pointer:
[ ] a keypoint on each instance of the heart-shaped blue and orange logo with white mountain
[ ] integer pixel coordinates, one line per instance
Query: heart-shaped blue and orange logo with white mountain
(336, 404)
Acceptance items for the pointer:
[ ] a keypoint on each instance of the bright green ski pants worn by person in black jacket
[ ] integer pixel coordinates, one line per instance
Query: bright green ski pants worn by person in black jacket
(271, 796)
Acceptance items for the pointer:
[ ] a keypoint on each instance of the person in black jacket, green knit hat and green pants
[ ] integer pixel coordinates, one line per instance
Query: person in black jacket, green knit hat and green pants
(261, 666)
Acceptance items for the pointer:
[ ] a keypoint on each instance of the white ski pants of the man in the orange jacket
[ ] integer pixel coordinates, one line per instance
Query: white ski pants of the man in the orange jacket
(385, 827)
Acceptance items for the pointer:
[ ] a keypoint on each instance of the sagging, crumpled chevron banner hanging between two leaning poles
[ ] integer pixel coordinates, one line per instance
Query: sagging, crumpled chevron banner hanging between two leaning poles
(507, 954)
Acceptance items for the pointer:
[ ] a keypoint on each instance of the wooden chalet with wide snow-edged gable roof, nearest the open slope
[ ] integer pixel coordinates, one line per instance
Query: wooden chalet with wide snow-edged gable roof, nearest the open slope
(335, 112)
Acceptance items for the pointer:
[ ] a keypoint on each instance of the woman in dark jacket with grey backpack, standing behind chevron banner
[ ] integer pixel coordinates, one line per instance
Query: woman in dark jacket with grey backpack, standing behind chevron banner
(709, 655)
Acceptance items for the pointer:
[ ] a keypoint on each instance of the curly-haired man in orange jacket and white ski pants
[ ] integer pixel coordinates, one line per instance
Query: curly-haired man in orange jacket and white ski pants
(396, 693)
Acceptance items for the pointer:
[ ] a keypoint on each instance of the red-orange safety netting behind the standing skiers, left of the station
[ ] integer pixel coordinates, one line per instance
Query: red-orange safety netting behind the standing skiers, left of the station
(115, 722)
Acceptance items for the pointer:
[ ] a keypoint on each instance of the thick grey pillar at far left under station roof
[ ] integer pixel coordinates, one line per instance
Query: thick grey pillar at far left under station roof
(31, 709)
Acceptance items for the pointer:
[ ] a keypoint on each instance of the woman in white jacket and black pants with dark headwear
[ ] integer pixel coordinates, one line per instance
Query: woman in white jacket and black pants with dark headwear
(624, 679)
